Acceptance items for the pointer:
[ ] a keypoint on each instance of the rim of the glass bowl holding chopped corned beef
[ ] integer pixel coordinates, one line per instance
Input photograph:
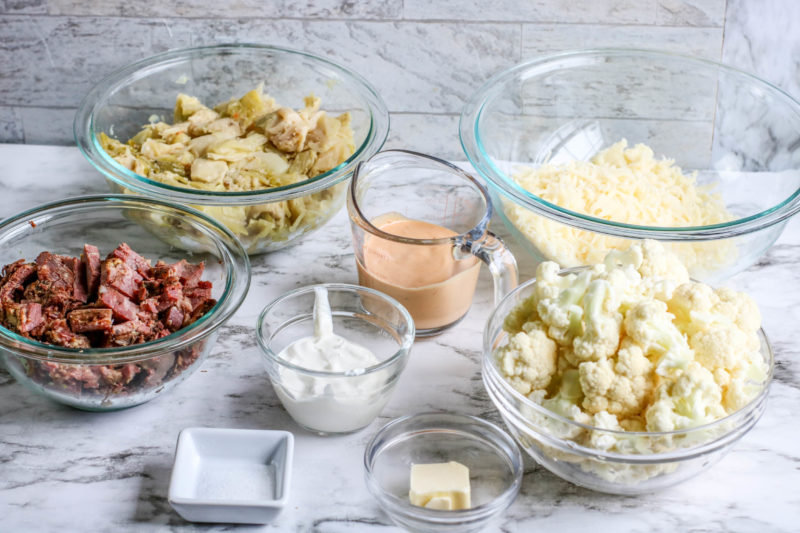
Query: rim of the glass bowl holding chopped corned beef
(229, 302)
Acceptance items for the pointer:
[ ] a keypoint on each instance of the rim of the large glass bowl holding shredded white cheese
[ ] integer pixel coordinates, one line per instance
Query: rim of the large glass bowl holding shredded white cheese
(472, 146)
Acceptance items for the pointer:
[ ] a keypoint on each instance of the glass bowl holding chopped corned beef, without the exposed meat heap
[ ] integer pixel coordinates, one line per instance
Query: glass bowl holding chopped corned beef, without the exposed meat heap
(85, 378)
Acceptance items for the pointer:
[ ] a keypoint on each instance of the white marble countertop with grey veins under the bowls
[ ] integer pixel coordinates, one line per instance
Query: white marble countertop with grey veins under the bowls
(67, 470)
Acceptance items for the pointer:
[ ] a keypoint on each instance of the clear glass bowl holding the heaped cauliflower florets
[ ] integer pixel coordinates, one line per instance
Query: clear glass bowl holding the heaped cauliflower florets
(653, 460)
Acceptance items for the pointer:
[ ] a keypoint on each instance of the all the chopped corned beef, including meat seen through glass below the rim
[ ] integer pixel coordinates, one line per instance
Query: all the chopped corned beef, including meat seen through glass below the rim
(91, 302)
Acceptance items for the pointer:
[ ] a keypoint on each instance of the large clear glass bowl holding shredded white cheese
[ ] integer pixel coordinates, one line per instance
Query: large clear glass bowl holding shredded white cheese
(733, 129)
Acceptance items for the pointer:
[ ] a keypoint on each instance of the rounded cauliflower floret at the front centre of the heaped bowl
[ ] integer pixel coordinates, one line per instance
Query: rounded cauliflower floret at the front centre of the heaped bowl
(620, 386)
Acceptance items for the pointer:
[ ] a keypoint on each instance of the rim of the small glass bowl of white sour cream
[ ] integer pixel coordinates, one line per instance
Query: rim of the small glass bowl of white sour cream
(402, 351)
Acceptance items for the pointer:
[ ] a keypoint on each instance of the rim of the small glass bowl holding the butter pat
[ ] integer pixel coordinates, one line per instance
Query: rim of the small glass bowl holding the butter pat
(474, 514)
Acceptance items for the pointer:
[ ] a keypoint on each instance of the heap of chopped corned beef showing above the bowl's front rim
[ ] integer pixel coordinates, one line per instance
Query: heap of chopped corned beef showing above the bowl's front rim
(117, 301)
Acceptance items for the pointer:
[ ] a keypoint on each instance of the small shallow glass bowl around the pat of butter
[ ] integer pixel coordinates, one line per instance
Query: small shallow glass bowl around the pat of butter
(493, 459)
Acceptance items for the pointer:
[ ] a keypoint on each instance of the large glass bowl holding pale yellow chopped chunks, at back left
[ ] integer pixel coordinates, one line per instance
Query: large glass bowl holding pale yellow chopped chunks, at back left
(123, 102)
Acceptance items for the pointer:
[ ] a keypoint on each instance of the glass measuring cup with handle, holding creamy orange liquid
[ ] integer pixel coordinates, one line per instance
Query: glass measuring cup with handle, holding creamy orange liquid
(420, 232)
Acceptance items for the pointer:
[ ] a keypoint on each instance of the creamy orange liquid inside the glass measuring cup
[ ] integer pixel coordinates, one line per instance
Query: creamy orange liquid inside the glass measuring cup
(435, 288)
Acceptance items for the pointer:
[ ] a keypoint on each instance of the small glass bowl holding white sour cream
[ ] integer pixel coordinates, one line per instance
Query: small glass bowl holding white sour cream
(330, 403)
